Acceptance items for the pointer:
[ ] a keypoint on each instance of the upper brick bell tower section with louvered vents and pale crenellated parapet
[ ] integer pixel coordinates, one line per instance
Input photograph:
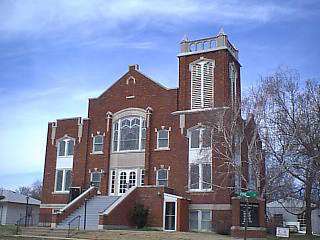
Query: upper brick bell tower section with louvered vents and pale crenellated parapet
(209, 73)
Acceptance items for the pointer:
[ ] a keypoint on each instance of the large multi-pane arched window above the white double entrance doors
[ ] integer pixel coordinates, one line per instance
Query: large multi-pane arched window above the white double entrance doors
(129, 133)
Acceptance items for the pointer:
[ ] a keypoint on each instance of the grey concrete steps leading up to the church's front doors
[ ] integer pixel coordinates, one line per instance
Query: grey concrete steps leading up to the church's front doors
(94, 207)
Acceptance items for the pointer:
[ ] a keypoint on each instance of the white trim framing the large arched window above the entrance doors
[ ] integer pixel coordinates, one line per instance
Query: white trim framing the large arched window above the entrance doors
(119, 135)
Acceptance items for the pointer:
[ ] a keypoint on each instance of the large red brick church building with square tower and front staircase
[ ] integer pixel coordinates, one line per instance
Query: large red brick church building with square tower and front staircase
(145, 143)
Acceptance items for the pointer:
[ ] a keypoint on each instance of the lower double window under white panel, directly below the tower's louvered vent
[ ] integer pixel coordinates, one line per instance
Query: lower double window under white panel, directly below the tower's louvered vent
(200, 176)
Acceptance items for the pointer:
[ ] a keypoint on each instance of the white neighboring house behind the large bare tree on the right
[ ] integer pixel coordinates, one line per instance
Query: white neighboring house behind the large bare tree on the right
(290, 211)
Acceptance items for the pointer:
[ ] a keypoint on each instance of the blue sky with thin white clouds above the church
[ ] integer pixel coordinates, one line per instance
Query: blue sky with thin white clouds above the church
(55, 54)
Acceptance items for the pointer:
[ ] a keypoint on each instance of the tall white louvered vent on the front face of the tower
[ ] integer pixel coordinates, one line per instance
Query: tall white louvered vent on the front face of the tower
(202, 84)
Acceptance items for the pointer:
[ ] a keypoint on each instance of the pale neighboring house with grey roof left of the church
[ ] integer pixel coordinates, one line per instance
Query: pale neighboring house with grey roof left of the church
(13, 207)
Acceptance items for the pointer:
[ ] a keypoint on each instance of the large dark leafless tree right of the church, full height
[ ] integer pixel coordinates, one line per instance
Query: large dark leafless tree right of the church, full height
(289, 120)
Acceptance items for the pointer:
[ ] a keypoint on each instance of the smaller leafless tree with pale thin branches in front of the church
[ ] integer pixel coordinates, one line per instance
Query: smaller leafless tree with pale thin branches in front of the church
(233, 146)
